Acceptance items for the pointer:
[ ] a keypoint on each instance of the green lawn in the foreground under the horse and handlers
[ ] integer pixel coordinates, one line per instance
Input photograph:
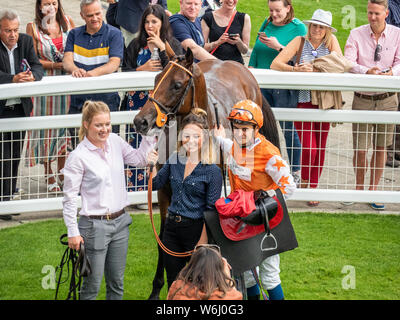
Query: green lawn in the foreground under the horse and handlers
(327, 243)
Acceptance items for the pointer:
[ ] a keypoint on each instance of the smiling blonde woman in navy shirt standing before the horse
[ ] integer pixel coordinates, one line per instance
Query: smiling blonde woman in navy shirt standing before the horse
(195, 183)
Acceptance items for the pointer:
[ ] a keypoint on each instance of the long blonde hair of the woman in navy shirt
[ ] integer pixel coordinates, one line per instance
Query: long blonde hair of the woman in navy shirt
(198, 117)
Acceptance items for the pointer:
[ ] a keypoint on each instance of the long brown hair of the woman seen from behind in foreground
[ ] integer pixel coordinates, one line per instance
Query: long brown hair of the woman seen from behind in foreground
(204, 273)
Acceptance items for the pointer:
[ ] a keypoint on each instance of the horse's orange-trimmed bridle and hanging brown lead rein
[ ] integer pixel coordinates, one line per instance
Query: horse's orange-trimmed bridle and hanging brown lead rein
(163, 116)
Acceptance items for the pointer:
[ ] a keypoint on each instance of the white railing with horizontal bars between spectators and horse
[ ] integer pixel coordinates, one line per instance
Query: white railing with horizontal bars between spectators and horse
(266, 79)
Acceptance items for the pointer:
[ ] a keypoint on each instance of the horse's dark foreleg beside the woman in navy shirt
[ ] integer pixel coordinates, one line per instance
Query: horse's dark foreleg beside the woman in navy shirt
(164, 197)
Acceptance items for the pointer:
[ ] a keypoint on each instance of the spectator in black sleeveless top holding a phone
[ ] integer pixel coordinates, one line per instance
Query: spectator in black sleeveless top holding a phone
(223, 42)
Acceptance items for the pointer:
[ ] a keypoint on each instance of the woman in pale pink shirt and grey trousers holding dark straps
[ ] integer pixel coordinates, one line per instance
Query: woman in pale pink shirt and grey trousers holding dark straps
(95, 169)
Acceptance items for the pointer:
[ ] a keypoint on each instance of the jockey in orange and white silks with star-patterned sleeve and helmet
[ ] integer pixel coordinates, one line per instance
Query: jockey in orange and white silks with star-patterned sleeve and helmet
(254, 163)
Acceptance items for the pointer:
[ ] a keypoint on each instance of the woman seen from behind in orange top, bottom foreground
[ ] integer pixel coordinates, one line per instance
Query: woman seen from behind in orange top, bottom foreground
(206, 277)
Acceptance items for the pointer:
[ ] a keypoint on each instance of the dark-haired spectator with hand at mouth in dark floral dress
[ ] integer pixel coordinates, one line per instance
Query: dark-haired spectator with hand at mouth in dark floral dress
(154, 32)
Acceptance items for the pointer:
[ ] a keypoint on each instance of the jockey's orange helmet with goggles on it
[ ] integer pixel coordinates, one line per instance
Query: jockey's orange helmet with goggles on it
(247, 111)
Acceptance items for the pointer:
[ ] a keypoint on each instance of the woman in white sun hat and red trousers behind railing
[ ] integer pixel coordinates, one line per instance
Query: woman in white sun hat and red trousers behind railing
(313, 135)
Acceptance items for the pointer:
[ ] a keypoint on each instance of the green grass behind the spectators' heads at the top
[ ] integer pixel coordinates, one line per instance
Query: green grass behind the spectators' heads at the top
(258, 11)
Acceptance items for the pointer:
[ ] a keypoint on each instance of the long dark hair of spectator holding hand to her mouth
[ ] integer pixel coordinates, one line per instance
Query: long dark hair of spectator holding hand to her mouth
(165, 32)
